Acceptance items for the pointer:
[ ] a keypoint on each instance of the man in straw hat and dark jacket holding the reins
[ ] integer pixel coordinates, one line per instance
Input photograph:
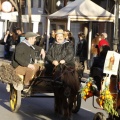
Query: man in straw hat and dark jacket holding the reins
(61, 51)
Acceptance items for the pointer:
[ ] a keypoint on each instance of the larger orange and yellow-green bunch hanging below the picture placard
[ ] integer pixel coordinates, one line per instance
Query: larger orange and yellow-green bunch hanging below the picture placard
(105, 100)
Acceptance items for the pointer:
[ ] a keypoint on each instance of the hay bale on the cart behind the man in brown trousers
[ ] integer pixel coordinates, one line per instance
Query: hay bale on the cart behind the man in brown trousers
(8, 75)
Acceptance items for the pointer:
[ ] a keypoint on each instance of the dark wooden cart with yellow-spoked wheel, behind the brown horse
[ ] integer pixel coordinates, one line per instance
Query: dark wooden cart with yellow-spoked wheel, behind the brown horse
(39, 85)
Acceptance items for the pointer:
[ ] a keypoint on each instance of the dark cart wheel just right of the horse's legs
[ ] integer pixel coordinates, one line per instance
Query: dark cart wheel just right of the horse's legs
(77, 103)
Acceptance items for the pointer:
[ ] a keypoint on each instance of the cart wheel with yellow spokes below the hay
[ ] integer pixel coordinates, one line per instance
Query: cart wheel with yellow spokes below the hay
(15, 99)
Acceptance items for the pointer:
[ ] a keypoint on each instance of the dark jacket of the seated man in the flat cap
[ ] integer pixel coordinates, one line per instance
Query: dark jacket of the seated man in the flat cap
(24, 54)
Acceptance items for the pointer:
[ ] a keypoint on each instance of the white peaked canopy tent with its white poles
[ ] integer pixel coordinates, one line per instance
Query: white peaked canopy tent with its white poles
(81, 10)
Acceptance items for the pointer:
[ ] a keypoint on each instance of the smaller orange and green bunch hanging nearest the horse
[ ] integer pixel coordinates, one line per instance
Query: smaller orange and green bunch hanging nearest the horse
(88, 89)
